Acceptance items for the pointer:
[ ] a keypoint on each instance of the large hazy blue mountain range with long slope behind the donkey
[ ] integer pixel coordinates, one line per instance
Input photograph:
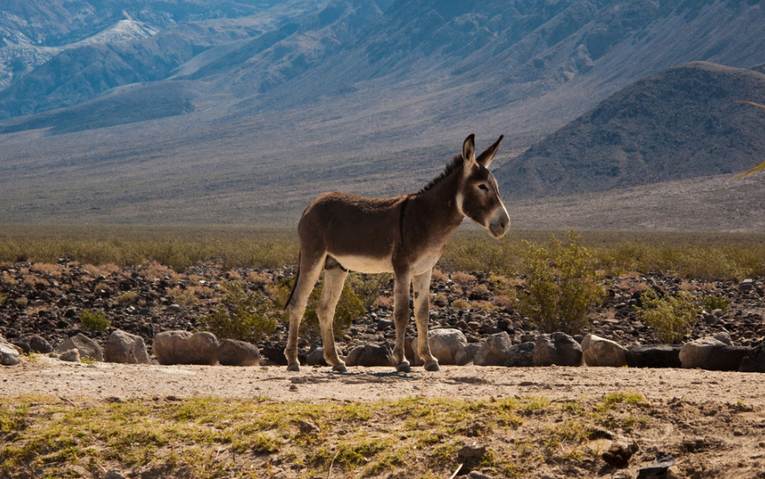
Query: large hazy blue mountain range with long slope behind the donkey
(239, 111)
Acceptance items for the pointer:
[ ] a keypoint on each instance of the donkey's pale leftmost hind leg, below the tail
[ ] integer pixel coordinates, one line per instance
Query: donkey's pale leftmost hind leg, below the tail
(310, 269)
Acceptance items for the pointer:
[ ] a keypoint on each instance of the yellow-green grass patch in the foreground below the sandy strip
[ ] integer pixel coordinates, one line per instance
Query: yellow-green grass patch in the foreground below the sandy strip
(208, 437)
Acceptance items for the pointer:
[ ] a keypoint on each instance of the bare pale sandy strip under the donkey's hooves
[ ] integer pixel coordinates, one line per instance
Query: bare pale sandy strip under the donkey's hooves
(104, 380)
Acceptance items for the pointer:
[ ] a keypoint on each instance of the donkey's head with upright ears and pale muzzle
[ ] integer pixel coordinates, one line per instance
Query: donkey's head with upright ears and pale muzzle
(478, 194)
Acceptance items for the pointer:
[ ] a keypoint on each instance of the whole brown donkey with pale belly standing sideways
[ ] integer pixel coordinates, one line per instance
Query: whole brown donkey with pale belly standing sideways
(404, 235)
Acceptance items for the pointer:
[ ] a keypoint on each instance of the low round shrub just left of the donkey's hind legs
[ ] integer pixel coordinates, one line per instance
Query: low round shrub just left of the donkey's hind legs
(243, 315)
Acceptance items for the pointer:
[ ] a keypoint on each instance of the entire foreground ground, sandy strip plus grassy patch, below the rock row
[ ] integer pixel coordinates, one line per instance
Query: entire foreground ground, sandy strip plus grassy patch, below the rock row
(535, 422)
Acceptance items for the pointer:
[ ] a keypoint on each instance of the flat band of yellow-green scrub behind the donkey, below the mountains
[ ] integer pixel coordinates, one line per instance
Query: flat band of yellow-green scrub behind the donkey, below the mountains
(704, 256)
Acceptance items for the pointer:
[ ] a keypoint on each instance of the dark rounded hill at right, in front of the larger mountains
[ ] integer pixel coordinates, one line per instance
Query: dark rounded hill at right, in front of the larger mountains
(686, 122)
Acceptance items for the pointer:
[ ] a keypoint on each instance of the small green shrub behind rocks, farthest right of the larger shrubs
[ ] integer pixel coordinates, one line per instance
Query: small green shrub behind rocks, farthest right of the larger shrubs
(671, 317)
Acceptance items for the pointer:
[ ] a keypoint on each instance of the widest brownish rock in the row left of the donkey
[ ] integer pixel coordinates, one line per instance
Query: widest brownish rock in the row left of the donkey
(183, 347)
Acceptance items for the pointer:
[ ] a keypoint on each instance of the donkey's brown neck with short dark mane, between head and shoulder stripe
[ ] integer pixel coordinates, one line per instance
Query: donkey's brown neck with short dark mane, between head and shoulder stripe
(436, 207)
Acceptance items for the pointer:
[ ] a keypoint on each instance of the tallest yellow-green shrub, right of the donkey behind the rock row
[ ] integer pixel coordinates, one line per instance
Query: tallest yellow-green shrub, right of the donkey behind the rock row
(561, 285)
